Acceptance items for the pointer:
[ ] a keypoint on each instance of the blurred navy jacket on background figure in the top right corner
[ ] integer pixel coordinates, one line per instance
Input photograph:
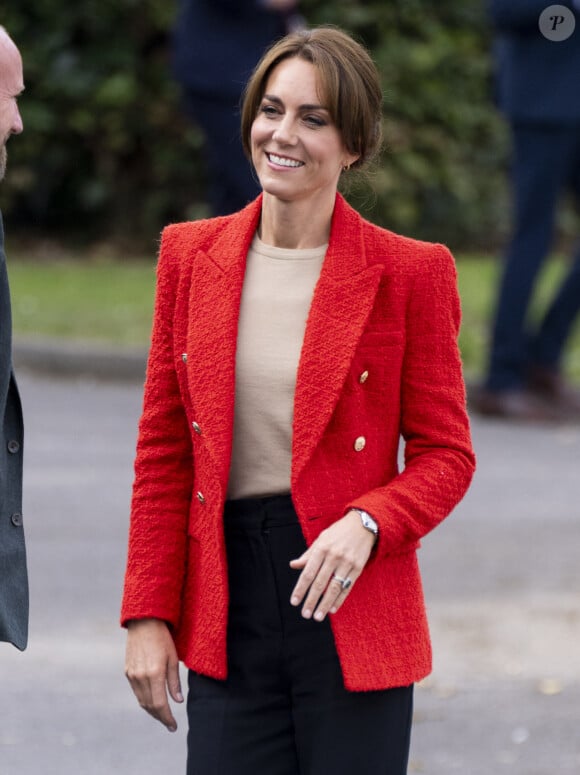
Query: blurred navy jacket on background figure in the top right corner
(537, 78)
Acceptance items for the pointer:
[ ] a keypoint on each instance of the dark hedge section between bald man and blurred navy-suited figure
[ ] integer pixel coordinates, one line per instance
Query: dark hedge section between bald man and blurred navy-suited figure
(105, 151)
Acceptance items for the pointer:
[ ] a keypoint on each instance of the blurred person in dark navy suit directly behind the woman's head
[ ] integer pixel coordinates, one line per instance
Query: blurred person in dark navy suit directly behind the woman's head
(217, 44)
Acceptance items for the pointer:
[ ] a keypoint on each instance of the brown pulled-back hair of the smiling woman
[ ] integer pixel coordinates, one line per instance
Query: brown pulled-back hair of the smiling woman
(349, 83)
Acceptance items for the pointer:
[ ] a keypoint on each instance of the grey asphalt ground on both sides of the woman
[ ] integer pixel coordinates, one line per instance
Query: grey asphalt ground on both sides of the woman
(502, 580)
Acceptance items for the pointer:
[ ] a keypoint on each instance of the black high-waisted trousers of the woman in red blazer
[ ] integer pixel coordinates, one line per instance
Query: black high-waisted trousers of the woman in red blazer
(283, 709)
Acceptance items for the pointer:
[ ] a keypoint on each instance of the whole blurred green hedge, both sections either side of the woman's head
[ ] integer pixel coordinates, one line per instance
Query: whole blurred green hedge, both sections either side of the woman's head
(107, 154)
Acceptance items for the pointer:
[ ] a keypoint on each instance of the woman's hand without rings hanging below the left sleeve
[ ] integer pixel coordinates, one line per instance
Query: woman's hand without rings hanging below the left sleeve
(152, 667)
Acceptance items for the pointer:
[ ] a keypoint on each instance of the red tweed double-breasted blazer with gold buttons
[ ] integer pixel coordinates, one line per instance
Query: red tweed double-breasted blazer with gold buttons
(385, 305)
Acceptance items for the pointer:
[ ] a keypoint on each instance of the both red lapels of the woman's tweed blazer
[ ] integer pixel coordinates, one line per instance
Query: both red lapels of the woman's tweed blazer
(342, 302)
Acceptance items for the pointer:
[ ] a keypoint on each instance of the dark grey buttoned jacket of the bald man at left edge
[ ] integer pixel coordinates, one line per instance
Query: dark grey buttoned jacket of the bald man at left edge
(13, 575)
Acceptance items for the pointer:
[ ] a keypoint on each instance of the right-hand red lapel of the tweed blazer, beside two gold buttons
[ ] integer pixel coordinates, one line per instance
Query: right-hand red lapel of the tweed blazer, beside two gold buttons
(341, 305)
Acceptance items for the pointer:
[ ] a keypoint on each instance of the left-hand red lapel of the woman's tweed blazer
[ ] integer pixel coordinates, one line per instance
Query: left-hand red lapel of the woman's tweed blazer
(213, 308)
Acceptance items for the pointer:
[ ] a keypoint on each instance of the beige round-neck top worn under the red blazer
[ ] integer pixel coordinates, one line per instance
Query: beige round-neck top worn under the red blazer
(278, 288)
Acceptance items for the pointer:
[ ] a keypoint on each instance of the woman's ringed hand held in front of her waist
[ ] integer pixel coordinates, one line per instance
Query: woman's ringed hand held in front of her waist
(338, 555)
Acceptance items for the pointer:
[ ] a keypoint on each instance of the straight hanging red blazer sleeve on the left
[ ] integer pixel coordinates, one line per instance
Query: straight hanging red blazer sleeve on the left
(163, 469)
